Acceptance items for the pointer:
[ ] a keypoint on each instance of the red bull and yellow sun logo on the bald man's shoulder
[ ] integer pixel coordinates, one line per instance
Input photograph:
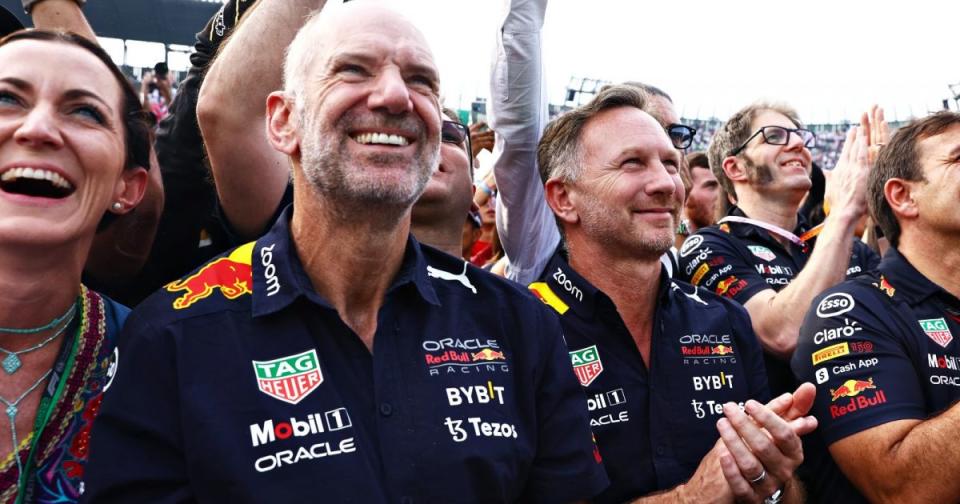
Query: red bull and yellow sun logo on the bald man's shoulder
(233, 275)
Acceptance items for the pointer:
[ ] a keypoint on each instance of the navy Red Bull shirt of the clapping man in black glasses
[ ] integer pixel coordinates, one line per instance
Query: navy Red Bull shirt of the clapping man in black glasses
(737, 260)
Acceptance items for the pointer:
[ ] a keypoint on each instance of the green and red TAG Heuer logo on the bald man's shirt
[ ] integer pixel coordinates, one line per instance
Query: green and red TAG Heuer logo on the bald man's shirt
(289, 378)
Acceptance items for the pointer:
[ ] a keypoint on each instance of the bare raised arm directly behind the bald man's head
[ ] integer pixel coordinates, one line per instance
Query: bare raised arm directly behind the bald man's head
(250, 175)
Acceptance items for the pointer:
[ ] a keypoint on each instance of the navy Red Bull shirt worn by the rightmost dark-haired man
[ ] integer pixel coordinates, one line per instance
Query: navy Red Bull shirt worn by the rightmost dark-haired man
(880, 348)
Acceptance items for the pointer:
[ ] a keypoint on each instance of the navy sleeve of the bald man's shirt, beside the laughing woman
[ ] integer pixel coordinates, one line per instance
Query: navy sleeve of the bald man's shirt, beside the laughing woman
(139, 426)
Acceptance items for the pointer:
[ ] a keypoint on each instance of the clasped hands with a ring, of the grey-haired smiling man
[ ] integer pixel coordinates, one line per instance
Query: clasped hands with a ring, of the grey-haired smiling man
(762, 445)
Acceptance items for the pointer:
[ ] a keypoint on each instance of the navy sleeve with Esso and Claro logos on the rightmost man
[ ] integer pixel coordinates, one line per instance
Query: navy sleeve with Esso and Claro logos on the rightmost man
(850, 348)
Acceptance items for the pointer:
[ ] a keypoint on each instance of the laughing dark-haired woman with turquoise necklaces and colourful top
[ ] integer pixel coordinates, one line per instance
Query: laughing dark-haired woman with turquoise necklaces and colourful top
(73, 142)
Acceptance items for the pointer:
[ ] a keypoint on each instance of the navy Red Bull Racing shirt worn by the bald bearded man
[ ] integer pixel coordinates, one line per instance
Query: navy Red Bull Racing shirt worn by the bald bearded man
(240, 383)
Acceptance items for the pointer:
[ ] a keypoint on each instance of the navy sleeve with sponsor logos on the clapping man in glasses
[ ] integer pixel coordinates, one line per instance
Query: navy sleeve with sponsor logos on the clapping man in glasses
(710, 259)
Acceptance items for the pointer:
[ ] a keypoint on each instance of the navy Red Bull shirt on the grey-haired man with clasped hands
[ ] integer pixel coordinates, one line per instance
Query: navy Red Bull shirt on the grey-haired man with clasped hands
(655, 421)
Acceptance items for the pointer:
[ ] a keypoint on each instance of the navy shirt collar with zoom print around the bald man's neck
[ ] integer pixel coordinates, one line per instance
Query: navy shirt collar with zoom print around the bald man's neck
(279, 278)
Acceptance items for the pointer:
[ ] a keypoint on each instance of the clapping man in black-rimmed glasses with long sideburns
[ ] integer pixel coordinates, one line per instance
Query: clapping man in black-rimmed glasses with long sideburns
(762, 253)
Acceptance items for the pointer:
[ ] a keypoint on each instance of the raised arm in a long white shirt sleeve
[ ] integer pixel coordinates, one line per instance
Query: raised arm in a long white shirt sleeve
(519, 114)
